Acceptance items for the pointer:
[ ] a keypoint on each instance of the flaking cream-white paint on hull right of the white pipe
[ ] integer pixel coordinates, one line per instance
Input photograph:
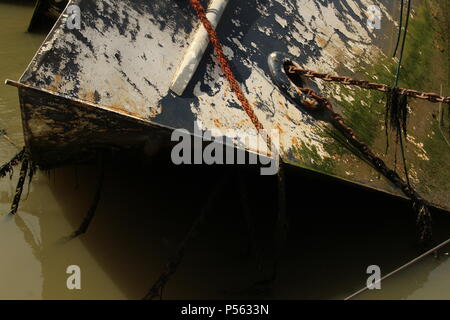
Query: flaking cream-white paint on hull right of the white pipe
(312, 22)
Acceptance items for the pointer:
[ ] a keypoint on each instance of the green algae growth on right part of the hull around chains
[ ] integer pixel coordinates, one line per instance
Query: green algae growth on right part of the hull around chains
(428, 154)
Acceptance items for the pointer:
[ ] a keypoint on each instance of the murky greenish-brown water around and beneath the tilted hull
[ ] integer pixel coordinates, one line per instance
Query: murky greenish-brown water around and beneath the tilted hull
(147, 207)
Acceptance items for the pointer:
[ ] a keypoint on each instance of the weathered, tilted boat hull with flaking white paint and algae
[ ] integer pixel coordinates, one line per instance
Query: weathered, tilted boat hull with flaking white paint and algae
(108, 83)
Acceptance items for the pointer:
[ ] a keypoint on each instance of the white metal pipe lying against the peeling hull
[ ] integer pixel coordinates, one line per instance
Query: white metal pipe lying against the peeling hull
(197, 48)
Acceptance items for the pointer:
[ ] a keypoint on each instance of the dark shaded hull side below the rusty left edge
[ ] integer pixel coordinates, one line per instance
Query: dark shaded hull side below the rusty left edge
(59, 131)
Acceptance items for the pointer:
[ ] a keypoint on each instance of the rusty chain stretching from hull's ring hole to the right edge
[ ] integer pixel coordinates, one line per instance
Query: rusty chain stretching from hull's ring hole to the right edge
(430, 96)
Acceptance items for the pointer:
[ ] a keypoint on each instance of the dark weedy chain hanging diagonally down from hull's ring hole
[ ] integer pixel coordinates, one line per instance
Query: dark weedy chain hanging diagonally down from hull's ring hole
(419, 204)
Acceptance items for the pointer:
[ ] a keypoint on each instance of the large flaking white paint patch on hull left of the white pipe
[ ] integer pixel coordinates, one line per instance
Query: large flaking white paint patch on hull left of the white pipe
(118, 63)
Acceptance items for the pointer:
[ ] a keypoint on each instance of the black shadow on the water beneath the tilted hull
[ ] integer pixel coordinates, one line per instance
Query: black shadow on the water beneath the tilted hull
(147, 206)
